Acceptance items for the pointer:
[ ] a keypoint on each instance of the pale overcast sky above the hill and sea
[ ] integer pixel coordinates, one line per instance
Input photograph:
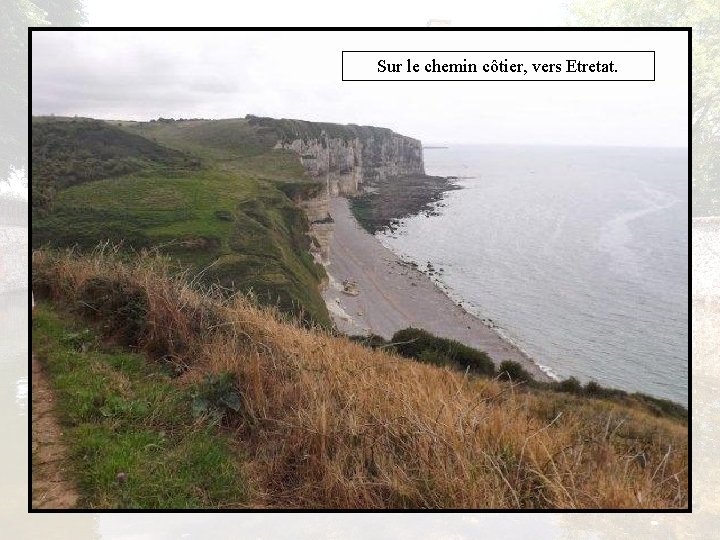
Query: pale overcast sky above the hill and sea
(144, 75)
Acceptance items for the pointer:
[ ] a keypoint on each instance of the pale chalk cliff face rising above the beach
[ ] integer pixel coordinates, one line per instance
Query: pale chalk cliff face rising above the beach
(343, 157)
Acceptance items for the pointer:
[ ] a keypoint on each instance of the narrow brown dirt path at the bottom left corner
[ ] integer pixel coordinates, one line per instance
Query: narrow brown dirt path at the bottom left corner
(50, 486)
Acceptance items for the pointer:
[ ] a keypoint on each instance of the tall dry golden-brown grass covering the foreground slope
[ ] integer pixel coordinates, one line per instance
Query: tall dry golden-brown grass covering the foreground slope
(328, 423)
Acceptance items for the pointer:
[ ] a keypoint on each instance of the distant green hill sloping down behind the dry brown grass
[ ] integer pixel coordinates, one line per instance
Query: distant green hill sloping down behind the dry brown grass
(210, 193)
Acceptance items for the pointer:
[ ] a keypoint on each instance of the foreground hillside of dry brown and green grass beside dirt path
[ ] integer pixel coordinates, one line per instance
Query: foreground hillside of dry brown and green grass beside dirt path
(301, 418)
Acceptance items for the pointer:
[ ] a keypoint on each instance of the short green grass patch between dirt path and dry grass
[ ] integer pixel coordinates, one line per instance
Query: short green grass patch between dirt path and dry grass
(133, 437)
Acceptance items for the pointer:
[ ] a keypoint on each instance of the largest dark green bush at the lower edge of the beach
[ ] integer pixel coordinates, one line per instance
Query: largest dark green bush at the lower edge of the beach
(422, 345)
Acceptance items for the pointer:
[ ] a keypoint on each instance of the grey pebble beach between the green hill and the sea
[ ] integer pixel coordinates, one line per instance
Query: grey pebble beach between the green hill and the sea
(392, 295)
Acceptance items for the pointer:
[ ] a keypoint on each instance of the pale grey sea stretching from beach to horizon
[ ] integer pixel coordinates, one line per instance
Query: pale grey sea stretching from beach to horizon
(579, 255)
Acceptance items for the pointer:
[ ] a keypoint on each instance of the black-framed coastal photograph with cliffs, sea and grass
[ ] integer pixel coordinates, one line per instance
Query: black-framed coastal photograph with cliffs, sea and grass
(259, 281)
